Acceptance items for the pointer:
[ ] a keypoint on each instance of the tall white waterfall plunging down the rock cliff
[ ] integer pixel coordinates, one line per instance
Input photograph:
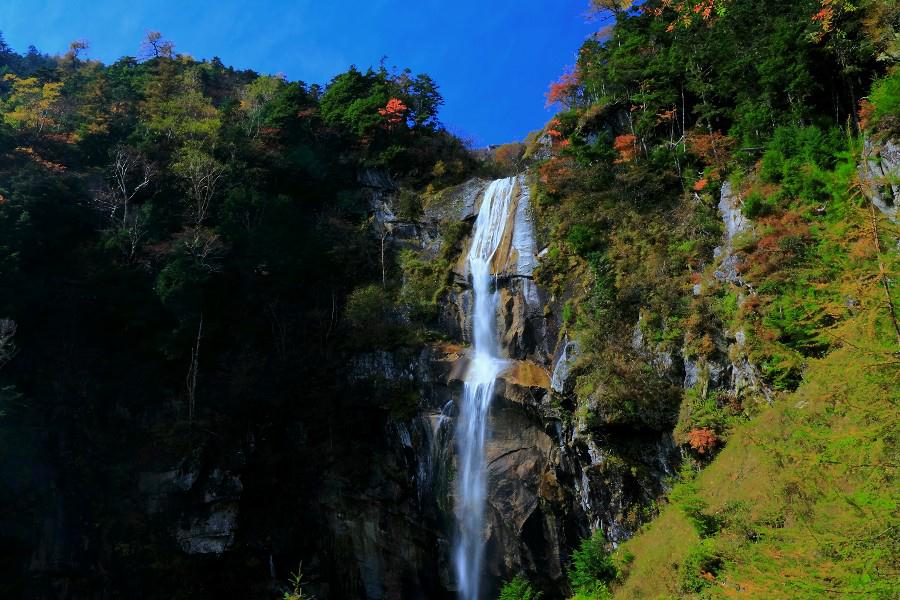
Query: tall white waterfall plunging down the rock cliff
(478, 387)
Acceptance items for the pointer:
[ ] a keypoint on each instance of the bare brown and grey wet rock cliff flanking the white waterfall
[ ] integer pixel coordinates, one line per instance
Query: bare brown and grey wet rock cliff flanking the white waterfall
(550, 478)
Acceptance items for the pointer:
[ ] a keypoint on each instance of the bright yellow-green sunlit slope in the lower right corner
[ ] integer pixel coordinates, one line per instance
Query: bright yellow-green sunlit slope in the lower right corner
(803, 500)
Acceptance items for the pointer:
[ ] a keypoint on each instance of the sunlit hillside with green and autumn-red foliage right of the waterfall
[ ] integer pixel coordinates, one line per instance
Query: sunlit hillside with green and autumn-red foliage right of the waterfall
(788, 486)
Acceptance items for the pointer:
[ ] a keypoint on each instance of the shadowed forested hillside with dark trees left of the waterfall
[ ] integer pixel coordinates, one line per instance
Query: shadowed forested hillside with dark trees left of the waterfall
(179, 244)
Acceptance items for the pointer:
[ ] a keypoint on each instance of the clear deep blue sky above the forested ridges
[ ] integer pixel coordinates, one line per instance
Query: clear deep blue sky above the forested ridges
(492, 58)
